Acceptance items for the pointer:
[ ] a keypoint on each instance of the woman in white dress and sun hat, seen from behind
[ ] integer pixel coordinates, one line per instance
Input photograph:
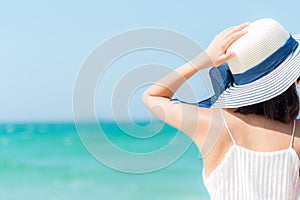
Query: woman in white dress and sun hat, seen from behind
(255, 155)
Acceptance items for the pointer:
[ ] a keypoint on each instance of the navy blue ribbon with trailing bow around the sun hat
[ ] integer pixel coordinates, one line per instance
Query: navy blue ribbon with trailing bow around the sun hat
(222, 78)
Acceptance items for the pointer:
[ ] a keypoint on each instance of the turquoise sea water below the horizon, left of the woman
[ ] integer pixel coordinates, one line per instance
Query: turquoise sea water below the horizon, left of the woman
(55, 162)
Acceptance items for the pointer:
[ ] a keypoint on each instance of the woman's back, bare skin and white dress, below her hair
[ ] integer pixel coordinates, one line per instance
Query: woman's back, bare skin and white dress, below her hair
(253, 159)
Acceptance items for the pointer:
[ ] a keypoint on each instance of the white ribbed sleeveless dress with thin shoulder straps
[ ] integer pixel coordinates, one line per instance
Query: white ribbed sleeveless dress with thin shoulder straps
(247, 174)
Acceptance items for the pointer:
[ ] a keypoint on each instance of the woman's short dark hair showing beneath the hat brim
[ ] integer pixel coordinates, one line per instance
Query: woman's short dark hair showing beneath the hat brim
(284, 108)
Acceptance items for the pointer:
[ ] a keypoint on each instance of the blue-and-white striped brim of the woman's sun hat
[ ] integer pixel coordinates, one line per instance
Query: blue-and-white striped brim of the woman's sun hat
(265, 88)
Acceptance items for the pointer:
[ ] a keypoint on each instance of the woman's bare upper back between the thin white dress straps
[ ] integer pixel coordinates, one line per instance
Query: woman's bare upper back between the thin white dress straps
(258, 133)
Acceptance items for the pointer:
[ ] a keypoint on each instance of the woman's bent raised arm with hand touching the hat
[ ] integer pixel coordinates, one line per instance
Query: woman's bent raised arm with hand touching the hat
(187, 118)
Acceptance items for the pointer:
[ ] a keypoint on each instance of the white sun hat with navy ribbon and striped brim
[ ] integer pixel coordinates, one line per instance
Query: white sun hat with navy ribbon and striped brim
(266, 64)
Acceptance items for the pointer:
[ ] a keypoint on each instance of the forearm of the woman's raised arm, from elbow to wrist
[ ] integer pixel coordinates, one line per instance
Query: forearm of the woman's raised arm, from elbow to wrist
(169, 84)
